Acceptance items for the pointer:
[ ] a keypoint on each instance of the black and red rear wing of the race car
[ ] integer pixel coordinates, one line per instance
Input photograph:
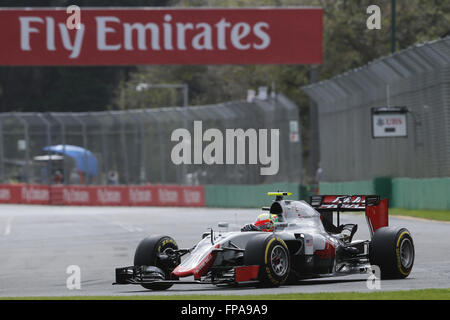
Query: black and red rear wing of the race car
(376, 209)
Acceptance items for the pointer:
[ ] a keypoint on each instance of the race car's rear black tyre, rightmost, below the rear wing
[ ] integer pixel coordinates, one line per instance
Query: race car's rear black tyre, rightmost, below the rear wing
(392, 250)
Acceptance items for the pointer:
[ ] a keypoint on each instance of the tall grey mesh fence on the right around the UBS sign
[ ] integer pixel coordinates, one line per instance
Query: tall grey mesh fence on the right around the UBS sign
(418, 78)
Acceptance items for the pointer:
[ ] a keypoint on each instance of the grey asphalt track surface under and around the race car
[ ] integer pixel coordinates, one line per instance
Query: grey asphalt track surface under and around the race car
(38, 243)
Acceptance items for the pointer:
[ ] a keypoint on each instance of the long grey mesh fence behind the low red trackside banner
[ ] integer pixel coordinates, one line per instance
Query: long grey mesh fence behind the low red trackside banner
(134, 146)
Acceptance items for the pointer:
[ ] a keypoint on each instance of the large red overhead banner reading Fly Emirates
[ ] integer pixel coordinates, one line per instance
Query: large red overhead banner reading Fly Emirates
(161, 36)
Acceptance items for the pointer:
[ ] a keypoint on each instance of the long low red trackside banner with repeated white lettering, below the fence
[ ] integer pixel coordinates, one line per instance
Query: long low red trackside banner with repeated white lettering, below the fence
(157, 195)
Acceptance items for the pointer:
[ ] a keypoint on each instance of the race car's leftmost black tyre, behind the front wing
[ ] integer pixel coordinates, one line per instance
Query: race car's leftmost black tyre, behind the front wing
(147, 255)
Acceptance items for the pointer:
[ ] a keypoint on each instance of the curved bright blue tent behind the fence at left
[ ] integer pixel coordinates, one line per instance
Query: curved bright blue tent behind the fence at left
(84, 159)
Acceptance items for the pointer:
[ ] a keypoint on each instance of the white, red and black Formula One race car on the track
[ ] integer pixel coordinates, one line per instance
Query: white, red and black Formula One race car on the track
(304, 243)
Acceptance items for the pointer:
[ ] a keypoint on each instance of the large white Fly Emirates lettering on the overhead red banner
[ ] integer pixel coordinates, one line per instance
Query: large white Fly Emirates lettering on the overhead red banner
(150, 35)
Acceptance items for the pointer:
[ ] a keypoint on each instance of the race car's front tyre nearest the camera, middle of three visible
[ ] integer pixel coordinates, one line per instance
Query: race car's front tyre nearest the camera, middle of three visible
(272, 256)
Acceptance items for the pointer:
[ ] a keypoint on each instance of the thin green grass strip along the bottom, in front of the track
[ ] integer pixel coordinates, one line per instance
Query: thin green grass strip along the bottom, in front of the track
(424, 294)
